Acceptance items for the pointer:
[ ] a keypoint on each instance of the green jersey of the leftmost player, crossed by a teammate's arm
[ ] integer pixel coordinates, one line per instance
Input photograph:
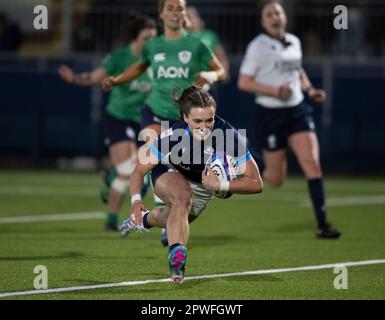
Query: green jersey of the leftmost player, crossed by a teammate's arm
(126, 100)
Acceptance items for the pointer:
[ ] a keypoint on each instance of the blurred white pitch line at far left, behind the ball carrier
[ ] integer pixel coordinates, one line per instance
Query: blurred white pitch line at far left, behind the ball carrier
(54, 217)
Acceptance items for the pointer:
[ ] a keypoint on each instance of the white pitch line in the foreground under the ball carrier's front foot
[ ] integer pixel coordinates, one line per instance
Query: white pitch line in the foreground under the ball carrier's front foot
(223, 275)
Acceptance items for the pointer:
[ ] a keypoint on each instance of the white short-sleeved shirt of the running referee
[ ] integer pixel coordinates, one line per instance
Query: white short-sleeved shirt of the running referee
(274, 62)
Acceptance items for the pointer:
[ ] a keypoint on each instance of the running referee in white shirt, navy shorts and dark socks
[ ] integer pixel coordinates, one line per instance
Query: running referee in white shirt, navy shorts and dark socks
(271, 69)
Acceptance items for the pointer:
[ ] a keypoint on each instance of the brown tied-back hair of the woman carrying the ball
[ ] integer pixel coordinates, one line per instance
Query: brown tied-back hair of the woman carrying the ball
(192, 97)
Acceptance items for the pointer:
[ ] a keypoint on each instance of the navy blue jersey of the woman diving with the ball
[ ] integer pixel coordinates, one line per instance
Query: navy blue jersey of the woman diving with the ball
(177, 149)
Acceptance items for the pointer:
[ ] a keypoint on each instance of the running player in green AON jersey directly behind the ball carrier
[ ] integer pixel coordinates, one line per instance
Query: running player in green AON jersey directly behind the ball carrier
(177, 60)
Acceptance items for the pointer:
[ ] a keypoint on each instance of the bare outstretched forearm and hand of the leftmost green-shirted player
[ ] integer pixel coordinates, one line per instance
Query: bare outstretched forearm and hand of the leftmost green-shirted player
(86, 79)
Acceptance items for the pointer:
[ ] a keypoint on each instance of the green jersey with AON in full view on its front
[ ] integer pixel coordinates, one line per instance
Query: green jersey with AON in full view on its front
(175, 64)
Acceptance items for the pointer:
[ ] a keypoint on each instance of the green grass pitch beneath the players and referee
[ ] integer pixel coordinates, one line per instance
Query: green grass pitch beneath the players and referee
(275, 229)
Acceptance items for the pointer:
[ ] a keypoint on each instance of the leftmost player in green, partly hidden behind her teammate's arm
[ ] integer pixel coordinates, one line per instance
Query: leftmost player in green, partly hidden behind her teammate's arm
(122, 117)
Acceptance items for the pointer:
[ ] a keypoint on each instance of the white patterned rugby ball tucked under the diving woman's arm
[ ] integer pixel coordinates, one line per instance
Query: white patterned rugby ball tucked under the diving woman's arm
(226, 169)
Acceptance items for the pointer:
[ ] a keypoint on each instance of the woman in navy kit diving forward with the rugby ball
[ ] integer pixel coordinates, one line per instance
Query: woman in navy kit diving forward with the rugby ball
(187, 186)
